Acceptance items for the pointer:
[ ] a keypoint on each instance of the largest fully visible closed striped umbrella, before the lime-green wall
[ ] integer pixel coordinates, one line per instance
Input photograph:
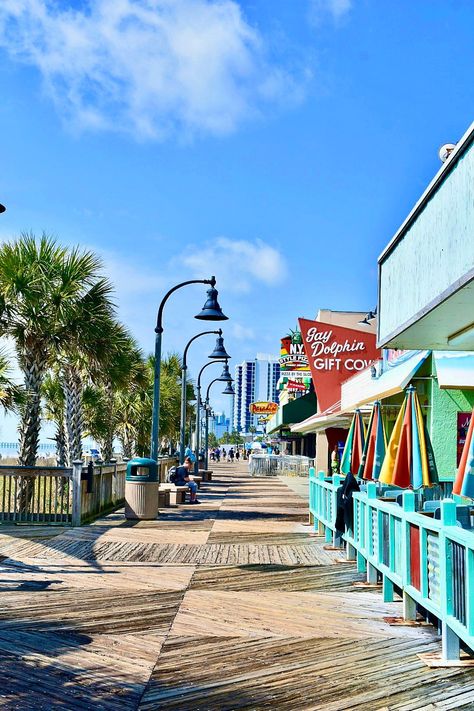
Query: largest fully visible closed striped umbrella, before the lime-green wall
(409, 460)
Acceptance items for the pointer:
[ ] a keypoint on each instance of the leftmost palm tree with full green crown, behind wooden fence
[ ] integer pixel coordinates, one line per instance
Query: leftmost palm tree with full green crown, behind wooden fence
(48, 295)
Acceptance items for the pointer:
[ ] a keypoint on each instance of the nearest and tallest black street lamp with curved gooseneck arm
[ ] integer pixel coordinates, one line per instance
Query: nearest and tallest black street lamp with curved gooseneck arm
(211, 311)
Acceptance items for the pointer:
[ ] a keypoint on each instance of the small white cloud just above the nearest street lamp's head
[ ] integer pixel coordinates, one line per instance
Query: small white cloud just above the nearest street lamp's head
(238, 265)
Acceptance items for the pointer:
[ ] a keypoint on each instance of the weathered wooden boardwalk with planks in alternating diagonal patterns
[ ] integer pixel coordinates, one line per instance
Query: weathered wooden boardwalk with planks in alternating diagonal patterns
(233, 604)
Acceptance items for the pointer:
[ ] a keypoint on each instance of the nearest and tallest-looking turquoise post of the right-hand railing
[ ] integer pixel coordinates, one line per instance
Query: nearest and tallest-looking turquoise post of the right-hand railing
(449, 639)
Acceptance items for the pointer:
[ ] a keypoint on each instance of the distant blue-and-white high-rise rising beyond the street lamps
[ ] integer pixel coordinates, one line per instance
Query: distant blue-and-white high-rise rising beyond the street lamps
(255, 380)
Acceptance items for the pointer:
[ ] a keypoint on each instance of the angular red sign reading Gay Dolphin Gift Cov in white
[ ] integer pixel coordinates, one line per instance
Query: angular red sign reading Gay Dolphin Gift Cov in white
(335, 353)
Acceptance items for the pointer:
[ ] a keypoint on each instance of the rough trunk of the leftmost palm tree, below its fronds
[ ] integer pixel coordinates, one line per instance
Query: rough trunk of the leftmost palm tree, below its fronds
(34, 368)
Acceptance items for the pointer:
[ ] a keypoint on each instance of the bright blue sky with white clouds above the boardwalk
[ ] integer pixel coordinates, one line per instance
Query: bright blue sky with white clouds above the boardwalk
(276, 143)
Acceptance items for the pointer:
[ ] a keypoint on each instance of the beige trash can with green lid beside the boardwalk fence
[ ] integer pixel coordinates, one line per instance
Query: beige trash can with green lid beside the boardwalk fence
(141, 489)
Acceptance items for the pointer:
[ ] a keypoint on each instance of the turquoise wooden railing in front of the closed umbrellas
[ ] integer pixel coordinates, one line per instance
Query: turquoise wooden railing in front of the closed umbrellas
(430, 562)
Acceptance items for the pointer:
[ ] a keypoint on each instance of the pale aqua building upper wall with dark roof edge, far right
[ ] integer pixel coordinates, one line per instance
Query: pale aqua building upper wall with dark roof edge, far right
(426, 272)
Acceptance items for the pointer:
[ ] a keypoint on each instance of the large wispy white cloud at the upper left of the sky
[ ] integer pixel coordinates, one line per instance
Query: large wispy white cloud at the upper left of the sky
(147, 67)
